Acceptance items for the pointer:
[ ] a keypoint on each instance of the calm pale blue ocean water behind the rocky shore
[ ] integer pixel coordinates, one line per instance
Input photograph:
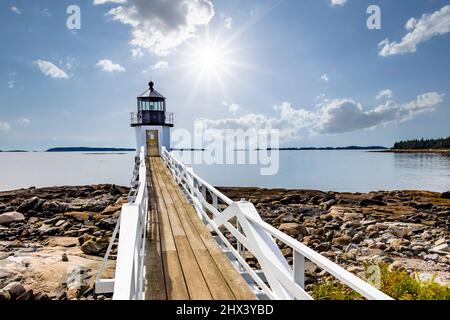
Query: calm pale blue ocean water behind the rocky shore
(353, 171)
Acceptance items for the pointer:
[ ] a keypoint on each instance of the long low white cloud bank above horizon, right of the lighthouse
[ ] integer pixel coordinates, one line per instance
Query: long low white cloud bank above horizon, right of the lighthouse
(333, 117)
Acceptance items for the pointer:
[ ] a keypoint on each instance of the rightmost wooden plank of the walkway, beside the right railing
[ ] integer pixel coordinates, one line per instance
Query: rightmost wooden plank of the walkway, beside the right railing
(235, 281)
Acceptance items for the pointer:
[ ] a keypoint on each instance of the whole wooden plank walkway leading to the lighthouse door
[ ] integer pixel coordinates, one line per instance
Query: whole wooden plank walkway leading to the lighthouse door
(183, 261)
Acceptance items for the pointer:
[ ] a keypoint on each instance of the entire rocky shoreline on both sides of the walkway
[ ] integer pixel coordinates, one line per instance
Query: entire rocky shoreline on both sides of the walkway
(52, 240)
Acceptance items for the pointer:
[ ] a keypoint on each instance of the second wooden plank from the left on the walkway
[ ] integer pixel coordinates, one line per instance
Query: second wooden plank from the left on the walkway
(174, 279)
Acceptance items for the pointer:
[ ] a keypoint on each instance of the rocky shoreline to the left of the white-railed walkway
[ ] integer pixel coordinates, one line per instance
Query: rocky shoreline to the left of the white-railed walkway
(52, 240)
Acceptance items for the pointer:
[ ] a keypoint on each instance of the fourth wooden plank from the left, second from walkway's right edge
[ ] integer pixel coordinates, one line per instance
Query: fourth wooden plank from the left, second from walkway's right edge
(217, 285)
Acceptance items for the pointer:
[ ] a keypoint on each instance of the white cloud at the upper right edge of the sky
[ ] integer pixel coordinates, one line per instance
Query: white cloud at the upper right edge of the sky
(427, 27)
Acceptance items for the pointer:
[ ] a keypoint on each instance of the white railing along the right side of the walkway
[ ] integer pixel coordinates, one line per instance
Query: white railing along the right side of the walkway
(277, 279)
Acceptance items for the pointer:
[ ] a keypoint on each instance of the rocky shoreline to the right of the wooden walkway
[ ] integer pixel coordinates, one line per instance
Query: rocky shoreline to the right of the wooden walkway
(405, 229)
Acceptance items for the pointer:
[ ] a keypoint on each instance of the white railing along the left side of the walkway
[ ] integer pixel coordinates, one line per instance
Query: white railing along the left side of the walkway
(130, 269)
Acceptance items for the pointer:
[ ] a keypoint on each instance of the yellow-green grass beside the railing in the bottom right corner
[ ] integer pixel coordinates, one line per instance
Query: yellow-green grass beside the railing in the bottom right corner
(398, 284)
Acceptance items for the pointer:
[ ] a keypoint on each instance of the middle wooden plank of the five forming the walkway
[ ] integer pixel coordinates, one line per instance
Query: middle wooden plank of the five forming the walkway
(195, 283)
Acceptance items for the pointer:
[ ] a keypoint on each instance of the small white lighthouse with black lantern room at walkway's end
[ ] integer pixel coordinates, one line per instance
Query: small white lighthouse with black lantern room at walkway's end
(152, 123)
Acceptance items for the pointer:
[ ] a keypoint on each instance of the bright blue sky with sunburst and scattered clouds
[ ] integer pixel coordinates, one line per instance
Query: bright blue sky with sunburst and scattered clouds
(309, 68)
